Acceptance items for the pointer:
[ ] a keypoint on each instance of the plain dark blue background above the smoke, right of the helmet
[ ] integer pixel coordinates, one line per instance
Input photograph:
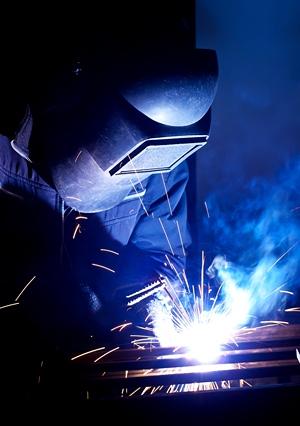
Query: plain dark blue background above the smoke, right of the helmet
(255, 115)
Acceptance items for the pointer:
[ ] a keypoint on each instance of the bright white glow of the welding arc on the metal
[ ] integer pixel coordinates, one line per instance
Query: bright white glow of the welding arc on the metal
(201, 332)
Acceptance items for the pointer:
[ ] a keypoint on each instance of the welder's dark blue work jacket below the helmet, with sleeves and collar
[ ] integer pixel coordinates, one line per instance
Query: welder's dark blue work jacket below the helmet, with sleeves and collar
(67, 275)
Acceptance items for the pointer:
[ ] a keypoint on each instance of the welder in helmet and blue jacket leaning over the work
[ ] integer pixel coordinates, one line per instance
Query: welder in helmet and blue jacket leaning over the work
(93, 177)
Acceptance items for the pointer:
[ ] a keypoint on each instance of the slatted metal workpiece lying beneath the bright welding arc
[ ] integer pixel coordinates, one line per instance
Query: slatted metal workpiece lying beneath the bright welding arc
(122, 371)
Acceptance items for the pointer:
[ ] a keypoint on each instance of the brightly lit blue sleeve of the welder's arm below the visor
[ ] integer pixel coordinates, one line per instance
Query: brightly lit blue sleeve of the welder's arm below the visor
(161, 237)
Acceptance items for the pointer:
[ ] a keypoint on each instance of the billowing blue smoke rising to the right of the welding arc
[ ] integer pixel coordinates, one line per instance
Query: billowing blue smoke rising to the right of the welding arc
(256, 228)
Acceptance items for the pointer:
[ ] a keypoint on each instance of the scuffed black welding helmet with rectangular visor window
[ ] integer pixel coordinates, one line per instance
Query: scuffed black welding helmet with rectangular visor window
(126, 123)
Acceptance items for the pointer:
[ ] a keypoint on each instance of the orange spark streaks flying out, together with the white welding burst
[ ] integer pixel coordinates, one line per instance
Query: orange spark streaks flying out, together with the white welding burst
(191, 320)
